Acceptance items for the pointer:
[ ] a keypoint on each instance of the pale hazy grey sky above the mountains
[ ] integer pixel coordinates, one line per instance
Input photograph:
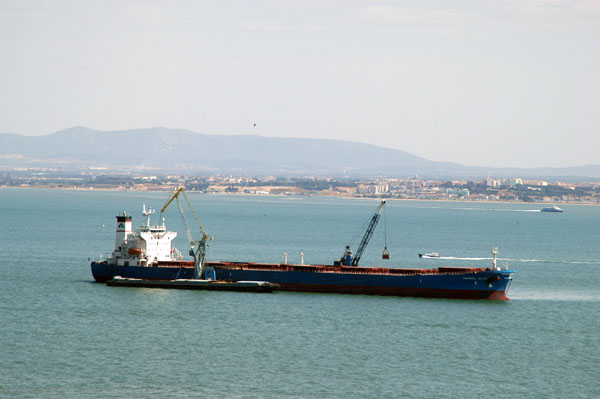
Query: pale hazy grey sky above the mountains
(482, 82)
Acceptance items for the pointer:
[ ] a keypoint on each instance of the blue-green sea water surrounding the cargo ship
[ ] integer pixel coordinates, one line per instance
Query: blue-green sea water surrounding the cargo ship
(64, 336)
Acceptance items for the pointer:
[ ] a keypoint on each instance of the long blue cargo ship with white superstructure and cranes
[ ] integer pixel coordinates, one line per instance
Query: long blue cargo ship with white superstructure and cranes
(147, 253)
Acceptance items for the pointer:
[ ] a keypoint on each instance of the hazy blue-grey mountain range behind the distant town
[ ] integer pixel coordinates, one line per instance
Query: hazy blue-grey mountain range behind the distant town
(184, 151)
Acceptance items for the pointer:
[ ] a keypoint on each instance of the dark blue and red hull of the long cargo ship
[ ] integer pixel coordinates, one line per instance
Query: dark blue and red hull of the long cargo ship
(458, 283)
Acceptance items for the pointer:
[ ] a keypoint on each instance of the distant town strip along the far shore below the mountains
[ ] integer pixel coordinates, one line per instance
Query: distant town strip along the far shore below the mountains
(486, 189)
